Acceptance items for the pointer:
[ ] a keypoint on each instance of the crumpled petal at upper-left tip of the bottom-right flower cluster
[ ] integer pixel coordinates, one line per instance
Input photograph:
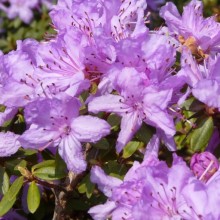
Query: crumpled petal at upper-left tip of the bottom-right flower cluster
(105, 183)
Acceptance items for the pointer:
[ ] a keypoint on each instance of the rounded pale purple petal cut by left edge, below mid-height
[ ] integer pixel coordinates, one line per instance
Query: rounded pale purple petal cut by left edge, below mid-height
(9, 144)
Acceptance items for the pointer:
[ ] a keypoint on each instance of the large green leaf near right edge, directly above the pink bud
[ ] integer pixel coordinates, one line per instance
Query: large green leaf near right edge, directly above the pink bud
(202, 134)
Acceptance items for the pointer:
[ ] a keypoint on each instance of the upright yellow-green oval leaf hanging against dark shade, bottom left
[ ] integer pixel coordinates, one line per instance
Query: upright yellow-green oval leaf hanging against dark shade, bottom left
(33, 197)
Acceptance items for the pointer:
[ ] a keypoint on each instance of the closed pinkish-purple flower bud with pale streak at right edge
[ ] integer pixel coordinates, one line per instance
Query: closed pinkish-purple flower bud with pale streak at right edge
(204, 165)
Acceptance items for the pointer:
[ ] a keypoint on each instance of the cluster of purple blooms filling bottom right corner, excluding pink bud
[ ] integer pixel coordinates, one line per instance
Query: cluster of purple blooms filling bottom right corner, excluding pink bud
(152, 190)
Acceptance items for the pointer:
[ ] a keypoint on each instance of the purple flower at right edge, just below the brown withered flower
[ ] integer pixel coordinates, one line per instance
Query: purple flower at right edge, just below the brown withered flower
(203, 79)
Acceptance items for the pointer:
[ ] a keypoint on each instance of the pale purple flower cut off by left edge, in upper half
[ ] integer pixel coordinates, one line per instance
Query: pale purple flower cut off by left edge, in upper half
(18, 81)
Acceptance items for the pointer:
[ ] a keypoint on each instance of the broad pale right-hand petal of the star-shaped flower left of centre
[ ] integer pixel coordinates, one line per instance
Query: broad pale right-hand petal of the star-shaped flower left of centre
(90, 129)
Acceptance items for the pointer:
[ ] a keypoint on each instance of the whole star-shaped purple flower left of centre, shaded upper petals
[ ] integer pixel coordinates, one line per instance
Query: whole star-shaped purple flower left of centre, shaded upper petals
(56, 123)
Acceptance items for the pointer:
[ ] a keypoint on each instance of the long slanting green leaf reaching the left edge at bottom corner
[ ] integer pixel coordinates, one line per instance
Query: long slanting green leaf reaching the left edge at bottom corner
(10, 196)
